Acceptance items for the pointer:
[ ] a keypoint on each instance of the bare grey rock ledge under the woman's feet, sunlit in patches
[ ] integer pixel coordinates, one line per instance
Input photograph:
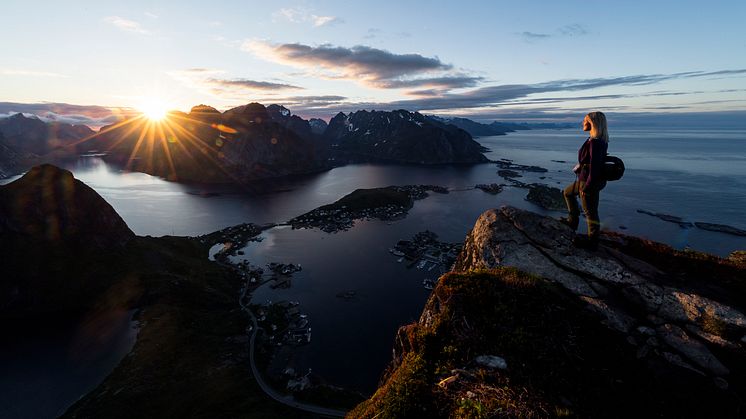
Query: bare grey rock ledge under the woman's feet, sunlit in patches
(627, 288)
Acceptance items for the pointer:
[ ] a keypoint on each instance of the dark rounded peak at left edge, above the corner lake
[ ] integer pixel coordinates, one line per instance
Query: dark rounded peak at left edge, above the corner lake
(55, 233)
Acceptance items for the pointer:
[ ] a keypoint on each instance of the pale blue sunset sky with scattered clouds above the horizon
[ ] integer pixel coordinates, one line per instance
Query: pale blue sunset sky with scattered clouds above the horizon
(506, 60)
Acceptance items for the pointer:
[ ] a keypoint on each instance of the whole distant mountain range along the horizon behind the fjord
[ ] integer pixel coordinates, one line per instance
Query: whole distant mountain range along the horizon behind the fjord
(250, 142)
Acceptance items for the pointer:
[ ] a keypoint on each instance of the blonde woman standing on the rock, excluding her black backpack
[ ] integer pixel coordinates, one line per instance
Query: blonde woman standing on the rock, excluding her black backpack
(590, 180)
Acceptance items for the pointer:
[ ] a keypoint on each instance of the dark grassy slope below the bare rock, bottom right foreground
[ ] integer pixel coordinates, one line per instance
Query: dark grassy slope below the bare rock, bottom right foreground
(561, 360)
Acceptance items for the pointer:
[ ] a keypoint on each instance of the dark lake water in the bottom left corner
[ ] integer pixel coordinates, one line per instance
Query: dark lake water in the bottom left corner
(49, 365)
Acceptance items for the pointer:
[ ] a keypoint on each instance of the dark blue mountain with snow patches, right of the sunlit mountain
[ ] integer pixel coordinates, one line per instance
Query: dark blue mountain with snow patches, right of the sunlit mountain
(401, 137)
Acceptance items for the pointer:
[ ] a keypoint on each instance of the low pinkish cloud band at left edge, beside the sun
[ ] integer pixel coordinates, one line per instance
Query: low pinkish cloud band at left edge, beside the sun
(93, 116)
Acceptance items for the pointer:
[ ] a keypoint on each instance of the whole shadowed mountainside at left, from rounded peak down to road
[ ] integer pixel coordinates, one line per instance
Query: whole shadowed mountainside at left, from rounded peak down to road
(67, 254)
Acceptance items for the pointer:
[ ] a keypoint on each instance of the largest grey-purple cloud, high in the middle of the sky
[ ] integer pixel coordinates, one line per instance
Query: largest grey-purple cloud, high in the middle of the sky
(371, 66)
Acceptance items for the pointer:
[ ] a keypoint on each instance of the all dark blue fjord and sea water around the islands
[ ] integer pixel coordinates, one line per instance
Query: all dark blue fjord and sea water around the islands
(697, 175)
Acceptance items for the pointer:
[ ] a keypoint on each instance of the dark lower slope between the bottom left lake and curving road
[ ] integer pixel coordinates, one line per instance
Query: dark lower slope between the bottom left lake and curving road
(189, 359)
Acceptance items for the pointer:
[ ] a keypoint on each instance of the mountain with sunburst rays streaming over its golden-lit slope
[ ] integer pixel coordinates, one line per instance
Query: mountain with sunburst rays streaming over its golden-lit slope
(240, 145)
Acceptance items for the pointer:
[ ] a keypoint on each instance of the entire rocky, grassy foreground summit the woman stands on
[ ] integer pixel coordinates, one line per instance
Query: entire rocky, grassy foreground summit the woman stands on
(527, 325)
